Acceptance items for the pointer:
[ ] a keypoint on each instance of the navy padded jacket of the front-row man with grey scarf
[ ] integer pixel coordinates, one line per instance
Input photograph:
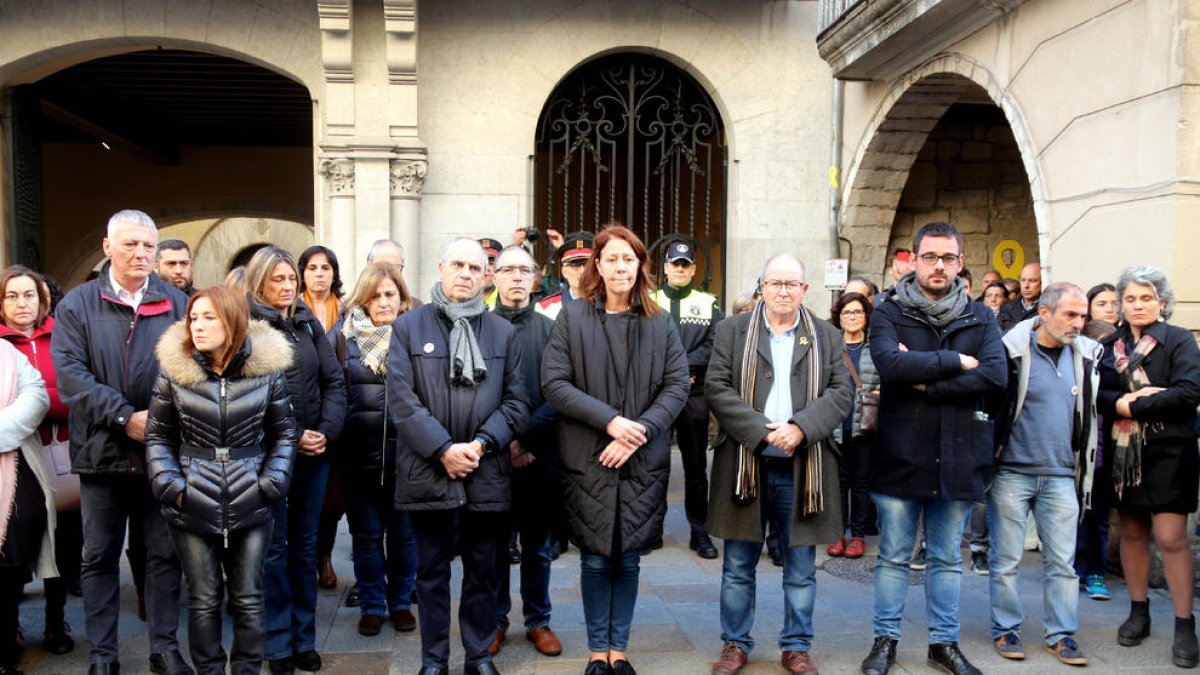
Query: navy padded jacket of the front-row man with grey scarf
(431, 414)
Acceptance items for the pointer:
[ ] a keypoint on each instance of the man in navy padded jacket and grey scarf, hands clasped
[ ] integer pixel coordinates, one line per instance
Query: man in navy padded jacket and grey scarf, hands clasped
(458, 396)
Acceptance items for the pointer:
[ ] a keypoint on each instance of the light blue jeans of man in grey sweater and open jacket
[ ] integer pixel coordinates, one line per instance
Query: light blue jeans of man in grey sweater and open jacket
(1055, 509)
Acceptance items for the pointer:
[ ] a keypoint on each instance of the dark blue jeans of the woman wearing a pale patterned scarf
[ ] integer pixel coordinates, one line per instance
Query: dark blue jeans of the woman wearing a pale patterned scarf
(386, 580)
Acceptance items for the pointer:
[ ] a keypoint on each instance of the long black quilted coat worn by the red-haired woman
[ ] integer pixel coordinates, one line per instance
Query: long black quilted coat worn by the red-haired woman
(579, 379)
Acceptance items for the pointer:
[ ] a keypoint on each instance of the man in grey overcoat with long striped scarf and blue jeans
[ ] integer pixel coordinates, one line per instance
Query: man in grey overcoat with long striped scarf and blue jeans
(775, 461)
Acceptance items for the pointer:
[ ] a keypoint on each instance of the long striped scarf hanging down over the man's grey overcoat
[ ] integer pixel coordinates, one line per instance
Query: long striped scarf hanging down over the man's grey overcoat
(746, 486)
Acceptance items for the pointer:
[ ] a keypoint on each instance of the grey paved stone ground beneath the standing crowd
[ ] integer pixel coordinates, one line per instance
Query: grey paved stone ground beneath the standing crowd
(676, 626)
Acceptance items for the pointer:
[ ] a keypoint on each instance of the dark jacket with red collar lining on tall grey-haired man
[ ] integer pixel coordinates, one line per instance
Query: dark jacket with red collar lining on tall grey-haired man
(104, 354)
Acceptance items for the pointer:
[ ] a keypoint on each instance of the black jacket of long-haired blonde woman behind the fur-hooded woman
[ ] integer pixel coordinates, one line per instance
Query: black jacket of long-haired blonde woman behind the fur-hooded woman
(315, 380)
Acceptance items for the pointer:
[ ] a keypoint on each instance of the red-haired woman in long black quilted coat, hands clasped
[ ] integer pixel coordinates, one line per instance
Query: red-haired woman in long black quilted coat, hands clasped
(617, 374)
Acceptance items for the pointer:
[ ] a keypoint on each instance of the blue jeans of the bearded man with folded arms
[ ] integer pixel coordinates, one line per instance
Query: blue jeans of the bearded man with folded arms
(945, 521)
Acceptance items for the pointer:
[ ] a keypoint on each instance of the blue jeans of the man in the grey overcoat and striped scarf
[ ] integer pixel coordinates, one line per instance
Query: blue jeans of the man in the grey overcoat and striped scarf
(800, 574)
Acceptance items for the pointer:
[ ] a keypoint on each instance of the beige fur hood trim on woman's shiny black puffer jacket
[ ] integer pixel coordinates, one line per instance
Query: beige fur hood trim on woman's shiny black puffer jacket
(269, 353)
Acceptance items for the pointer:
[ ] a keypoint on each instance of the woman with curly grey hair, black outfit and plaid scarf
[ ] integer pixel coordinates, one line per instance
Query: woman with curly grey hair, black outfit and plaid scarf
(1150, 389)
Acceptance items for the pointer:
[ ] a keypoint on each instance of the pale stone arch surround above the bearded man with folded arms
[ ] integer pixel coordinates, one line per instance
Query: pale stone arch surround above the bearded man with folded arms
(898, 132)
